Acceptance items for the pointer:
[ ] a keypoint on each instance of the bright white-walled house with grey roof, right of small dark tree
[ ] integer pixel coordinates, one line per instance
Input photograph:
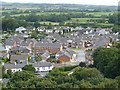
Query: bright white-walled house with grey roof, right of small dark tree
(43, 66)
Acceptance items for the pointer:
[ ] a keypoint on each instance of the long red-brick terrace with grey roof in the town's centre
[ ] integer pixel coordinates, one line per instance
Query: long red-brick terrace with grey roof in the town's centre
(51, 47)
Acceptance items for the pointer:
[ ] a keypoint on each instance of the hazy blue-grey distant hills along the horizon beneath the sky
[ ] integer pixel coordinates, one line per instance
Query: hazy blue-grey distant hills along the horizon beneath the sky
(68, 6)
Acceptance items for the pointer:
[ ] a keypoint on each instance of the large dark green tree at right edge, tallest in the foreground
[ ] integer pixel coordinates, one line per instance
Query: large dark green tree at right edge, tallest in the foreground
(107, 61)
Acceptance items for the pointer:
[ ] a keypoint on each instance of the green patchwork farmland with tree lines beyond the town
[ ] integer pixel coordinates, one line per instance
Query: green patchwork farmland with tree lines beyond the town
(50, 14)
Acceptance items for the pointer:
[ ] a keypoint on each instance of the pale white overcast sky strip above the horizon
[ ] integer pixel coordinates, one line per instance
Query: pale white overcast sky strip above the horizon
(93, 2)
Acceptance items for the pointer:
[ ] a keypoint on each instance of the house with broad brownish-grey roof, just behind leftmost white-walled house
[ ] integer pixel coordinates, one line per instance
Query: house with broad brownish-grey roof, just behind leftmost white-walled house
(21, 58)
